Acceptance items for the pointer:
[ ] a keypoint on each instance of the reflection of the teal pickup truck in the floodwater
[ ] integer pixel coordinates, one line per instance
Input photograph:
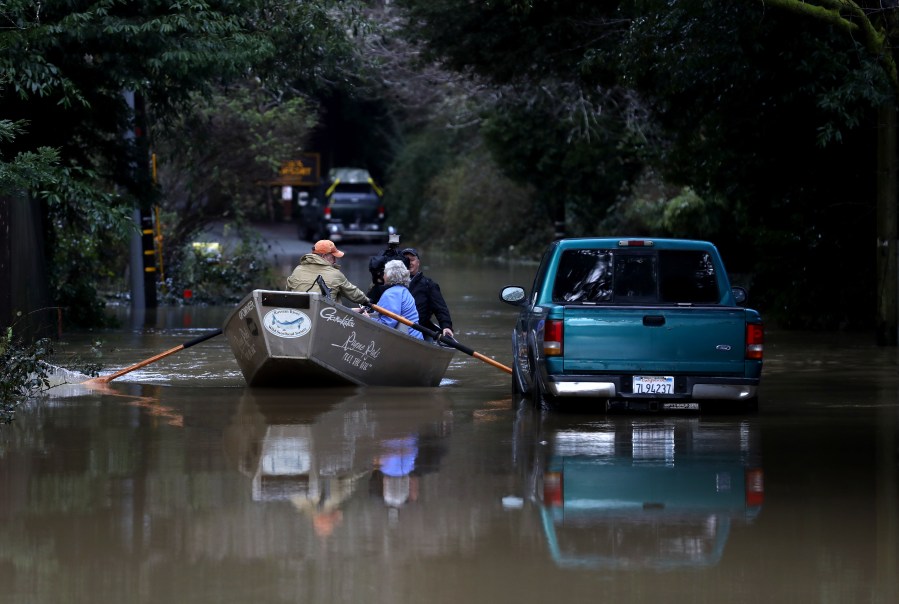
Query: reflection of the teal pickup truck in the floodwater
(651, 494)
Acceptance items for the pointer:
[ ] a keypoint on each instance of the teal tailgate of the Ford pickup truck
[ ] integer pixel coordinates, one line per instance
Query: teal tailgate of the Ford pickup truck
(660, 340)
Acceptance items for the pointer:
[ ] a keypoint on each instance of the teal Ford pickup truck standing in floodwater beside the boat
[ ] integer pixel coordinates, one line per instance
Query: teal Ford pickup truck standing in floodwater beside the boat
(636, 324)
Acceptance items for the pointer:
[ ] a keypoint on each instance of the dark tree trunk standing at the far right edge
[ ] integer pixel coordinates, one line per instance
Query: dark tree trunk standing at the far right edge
(887, 200)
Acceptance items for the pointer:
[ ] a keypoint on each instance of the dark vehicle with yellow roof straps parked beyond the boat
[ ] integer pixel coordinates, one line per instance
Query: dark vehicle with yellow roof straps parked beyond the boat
(349, 207)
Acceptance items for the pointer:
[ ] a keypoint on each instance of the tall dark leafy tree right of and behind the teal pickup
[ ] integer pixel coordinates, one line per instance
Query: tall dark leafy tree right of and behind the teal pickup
(775, 114)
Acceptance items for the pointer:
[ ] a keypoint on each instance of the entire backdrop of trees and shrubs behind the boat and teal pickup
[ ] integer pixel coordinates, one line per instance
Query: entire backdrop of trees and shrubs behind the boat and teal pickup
(761, 125)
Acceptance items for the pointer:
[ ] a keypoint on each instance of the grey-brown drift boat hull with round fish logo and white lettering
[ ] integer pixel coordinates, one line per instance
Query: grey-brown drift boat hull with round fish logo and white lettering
(306, 340)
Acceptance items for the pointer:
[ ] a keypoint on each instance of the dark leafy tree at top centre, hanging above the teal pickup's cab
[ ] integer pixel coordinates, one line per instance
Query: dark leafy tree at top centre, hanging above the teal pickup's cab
(557, 120)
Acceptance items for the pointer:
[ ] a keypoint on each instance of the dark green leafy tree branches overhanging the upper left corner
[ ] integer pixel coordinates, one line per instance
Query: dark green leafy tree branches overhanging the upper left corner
(66, 66)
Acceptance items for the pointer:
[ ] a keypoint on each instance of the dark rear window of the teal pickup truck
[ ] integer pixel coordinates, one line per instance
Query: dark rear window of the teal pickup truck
(635, 277)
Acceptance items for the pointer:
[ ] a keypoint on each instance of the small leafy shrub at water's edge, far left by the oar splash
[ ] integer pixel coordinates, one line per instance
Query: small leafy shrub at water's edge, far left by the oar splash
(23, 369)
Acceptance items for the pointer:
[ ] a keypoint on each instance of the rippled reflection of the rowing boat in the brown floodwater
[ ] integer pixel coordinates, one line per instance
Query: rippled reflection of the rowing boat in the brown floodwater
(315, 453)
